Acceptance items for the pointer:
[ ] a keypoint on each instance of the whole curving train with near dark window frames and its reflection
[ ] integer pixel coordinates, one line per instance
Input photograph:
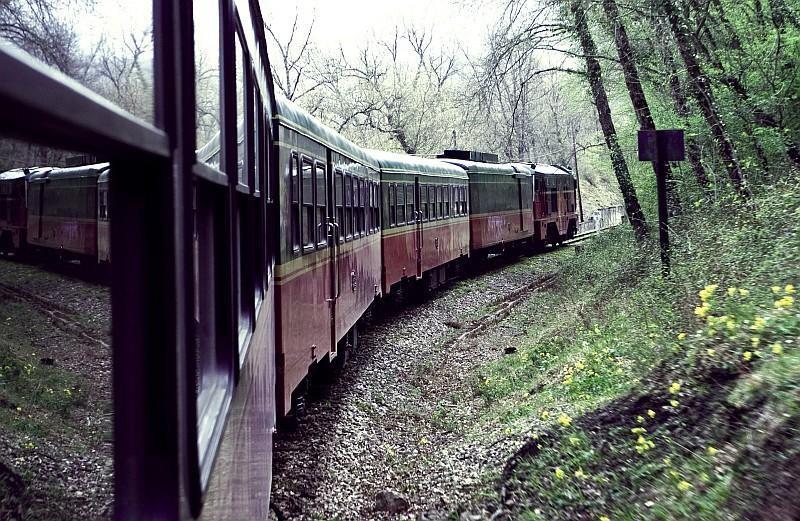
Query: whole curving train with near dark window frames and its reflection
(241, 269)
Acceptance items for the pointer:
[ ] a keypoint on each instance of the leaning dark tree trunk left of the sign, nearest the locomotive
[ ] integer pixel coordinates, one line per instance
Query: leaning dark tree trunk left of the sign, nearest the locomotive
(594, 75)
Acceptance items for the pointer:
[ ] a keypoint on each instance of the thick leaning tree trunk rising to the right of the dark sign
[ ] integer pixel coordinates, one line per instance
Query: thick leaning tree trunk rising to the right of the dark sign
(701, 89)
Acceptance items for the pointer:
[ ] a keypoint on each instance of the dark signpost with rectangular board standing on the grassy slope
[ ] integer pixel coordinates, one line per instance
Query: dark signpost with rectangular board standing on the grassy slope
(661, 147)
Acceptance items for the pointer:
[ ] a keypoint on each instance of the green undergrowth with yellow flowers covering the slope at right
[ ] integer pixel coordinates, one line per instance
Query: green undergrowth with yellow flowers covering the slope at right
(645, 398)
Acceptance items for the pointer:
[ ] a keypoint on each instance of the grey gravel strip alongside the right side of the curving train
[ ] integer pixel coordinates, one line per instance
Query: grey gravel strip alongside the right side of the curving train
(395, 436)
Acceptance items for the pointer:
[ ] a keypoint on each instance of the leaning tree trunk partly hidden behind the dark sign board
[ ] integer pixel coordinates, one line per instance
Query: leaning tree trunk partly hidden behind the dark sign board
(636, 93)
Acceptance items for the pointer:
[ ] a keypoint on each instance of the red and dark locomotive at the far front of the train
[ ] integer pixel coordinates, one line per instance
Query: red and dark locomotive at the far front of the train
(555, 215)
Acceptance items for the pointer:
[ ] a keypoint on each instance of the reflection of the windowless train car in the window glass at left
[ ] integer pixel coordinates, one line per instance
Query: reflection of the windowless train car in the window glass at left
(62, 210)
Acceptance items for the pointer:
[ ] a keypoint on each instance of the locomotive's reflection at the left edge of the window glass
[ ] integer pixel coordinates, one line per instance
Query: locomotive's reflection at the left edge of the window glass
(14, 207)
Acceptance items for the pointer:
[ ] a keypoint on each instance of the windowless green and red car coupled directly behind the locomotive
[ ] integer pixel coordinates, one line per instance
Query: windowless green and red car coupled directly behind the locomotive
(501, 204)
